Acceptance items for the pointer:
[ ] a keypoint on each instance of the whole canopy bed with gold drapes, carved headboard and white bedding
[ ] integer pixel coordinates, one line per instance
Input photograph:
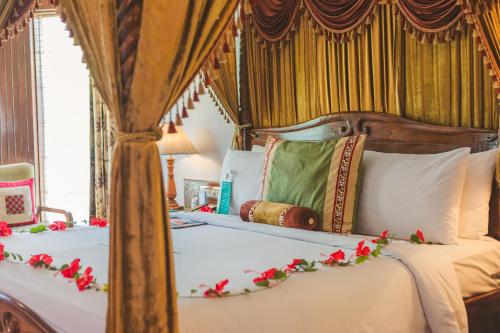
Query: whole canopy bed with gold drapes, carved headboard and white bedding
(274, 97)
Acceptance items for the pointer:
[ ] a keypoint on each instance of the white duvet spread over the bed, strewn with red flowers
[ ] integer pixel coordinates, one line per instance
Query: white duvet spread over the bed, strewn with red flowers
(409, 289)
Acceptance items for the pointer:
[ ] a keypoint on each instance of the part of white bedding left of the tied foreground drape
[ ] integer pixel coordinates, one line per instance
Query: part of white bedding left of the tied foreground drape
(55, 300)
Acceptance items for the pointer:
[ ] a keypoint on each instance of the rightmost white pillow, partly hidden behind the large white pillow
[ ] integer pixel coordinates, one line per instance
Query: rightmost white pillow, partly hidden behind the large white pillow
(474, 208)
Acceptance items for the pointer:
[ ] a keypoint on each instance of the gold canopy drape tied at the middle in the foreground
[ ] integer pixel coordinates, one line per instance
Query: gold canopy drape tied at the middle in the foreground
(138, 79)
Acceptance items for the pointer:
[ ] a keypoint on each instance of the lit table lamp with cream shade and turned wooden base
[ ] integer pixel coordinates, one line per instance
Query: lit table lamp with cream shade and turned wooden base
(174, 144)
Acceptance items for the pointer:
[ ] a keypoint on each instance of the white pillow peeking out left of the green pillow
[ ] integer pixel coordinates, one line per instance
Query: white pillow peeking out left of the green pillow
(246, 168)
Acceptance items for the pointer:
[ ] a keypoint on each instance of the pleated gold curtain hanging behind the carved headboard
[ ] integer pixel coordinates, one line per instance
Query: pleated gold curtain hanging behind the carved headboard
(383, 69)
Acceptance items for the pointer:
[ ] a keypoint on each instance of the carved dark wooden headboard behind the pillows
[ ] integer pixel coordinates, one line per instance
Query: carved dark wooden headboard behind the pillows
(391, 134)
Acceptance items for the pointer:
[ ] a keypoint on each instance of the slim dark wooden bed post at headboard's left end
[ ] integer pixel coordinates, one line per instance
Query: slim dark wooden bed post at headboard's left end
(244, 114)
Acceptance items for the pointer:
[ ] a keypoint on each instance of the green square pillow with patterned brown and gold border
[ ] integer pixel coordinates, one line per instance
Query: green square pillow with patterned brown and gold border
(320, 175)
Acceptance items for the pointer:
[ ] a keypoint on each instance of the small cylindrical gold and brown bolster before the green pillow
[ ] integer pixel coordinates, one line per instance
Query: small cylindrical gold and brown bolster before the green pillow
(278, 214)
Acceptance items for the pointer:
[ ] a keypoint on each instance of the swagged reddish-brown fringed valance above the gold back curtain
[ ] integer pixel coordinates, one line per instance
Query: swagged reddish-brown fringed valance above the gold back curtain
(342, 20)
